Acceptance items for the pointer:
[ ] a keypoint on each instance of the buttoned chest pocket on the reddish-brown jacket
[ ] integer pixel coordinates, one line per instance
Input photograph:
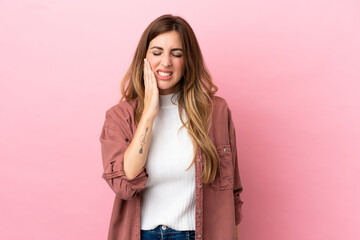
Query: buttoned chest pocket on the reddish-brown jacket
(225, 174)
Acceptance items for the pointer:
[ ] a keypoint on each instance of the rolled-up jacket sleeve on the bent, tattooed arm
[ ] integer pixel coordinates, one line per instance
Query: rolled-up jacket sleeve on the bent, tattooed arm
(114, 139)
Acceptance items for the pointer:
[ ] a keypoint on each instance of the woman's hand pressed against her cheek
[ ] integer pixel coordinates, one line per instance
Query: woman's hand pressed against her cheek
(151, 101)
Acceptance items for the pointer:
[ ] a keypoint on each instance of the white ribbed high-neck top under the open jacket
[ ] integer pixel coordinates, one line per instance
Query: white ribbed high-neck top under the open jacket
(169, 196)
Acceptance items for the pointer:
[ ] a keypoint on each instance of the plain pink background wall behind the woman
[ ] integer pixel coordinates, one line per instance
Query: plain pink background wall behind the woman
(288, 69)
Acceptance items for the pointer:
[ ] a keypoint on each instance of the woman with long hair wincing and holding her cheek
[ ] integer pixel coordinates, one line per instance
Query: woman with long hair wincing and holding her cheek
(169, 147)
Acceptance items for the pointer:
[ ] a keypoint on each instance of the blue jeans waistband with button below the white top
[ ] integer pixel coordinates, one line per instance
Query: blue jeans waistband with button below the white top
(165, 233)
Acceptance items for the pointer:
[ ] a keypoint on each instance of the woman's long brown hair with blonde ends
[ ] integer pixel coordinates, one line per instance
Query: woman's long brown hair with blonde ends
(195, 89)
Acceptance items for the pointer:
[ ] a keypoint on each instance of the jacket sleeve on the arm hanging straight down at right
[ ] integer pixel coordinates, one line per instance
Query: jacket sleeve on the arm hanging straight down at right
(237, 182)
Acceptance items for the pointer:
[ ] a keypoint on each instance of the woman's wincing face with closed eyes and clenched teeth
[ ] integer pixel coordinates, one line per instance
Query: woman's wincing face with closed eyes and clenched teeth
(165, 55)
